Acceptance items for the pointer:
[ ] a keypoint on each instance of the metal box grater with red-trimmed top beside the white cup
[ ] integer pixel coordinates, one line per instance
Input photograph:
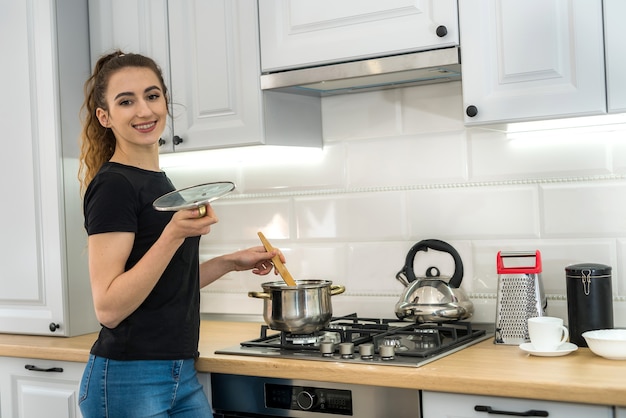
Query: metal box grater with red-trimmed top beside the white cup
(520, 295)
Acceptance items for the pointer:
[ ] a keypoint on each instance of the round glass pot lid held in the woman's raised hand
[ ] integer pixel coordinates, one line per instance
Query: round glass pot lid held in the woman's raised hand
(194, 196)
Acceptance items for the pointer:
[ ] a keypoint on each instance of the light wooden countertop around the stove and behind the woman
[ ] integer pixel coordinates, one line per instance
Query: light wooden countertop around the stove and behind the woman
(483, 369)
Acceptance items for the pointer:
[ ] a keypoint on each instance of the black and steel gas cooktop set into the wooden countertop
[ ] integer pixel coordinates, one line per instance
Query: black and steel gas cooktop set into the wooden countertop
(353, 339)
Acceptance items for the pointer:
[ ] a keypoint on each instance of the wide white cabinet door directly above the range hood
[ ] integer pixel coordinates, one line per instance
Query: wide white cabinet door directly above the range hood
(296, 33)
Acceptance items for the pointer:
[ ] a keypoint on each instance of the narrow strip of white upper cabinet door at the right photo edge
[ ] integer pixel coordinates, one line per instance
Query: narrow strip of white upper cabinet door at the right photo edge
(614, 35)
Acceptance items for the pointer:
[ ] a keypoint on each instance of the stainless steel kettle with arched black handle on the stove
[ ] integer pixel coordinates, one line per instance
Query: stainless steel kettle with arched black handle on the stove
(433, 297)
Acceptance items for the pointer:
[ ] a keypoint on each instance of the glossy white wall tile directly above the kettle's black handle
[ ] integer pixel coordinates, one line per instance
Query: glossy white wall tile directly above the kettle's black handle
(475, 212)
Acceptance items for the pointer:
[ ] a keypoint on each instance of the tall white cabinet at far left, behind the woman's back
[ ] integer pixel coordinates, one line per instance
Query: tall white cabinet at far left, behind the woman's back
(44, 282)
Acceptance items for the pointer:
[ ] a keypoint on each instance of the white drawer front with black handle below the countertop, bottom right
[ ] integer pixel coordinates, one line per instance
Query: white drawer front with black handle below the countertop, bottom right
(448, 405)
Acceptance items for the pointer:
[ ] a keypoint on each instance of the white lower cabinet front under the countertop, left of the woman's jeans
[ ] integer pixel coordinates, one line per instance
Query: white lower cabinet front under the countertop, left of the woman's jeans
(34, 388)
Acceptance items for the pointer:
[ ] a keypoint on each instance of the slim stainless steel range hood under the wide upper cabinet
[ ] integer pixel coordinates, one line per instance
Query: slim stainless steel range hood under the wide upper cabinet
(424, 67)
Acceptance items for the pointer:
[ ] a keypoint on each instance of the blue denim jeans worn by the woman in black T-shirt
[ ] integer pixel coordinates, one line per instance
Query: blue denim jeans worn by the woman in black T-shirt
(142, 389)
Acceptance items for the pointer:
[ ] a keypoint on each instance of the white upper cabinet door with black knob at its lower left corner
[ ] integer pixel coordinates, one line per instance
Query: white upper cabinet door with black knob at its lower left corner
(532, 59)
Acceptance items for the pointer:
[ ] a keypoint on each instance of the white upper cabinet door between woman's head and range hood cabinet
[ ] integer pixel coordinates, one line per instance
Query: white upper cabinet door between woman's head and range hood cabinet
(215, 73)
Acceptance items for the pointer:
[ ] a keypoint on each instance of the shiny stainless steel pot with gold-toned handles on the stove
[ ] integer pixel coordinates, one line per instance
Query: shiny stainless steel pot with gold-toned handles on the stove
(302, 309)
